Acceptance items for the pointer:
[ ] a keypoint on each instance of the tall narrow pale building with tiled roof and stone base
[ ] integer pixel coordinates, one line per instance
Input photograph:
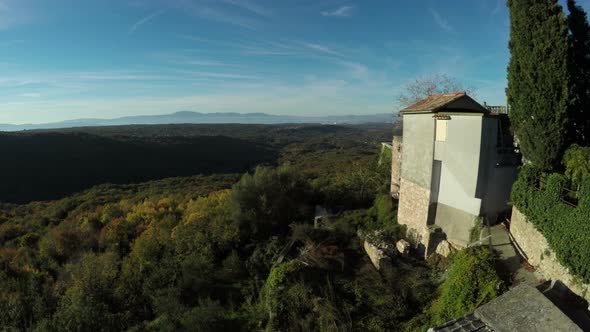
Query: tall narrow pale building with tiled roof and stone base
(457, 164)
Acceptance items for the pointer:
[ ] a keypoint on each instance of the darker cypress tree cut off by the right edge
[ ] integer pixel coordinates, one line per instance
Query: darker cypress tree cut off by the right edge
(579, 126)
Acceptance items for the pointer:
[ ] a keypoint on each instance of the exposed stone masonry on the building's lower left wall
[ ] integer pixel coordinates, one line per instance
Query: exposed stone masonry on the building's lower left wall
(413, 210)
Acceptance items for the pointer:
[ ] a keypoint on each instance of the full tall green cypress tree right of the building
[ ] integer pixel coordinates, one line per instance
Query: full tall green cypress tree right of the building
(539, 79)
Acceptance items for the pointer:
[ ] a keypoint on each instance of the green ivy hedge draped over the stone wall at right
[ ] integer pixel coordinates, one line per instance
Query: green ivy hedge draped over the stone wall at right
(567, 229)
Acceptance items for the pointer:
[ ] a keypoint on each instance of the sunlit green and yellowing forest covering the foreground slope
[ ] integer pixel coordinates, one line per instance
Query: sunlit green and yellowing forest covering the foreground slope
(230, 252)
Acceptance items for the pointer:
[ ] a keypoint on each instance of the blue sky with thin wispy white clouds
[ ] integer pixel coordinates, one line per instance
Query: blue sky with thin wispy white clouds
(64, 59)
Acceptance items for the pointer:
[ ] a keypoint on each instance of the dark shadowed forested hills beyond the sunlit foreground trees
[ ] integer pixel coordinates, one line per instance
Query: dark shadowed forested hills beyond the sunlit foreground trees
(42, 165)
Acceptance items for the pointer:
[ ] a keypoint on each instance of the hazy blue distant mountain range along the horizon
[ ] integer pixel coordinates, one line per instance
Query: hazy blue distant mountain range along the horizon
(195, 117)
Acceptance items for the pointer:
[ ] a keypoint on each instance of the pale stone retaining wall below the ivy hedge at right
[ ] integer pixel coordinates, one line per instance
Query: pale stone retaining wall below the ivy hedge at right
(535, 247)
